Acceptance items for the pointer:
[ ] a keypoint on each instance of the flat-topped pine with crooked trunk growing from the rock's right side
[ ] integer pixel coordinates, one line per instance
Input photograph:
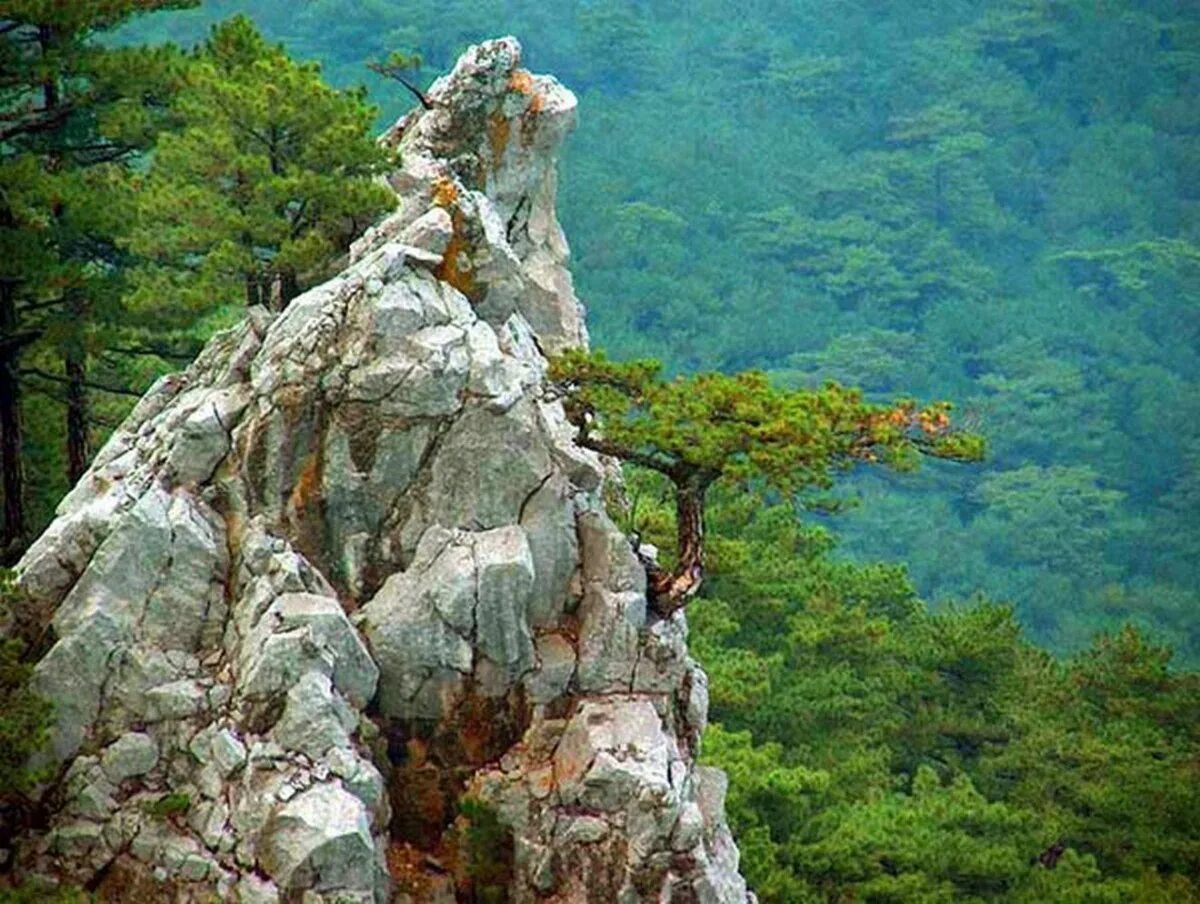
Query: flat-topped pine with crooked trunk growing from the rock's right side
(739, 429)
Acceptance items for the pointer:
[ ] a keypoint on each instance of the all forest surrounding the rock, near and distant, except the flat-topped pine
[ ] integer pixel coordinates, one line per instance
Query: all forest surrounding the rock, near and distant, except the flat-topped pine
(965, 683)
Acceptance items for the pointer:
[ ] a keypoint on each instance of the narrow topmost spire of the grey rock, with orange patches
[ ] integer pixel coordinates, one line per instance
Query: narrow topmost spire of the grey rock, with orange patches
(478, 178)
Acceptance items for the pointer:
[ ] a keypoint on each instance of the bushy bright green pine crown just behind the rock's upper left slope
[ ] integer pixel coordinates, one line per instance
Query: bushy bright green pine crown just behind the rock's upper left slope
(266, 184)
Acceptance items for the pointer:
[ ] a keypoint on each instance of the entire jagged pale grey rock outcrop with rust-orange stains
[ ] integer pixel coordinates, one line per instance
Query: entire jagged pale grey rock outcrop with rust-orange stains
(339, 615)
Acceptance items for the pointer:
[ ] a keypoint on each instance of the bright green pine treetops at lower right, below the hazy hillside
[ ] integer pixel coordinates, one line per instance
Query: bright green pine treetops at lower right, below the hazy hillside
(879, 751)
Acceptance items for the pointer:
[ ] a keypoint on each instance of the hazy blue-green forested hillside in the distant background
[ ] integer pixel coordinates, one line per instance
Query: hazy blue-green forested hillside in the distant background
(995, 202)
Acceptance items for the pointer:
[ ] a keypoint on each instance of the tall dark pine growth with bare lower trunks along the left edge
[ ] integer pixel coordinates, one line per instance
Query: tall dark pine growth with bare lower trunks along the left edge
(73, 115)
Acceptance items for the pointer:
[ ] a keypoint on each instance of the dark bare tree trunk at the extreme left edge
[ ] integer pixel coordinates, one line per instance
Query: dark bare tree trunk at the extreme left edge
(11, 464)
